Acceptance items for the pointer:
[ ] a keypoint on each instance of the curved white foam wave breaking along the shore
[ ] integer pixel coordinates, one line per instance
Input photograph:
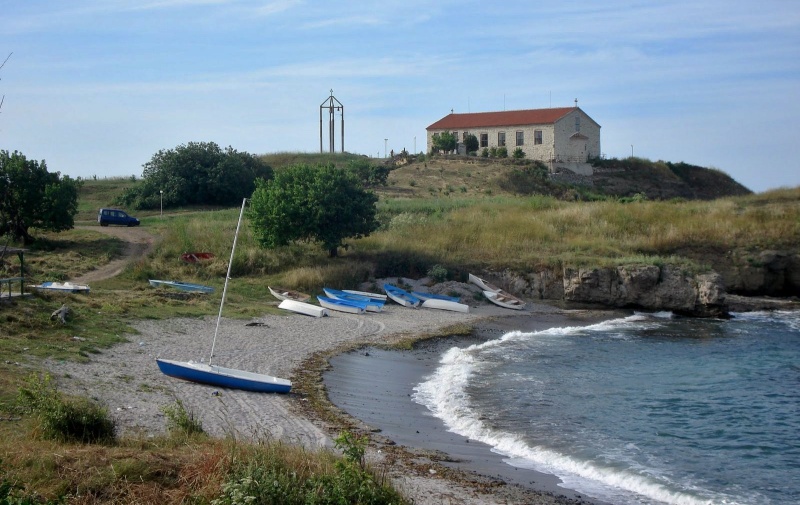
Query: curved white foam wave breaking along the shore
(444, 394)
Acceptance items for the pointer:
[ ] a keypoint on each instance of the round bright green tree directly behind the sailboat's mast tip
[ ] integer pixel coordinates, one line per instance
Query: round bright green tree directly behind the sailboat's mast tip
(316, 204)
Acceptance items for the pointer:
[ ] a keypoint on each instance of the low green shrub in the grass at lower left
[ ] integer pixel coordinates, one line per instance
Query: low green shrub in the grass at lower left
(65, 419)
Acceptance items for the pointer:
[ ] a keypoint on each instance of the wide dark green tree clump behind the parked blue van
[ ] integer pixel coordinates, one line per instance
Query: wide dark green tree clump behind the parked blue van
(198, 173)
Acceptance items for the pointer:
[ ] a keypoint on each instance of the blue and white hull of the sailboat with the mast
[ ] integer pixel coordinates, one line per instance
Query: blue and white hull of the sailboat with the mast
(223, 377)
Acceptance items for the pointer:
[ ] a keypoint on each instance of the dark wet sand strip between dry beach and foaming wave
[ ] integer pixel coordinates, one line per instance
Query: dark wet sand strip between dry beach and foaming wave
(374, 385)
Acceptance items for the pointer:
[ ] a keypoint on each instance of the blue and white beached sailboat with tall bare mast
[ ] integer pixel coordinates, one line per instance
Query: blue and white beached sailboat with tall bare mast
(215, 375)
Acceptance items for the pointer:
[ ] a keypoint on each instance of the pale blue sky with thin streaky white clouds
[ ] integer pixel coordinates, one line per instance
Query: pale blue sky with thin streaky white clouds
(96, 87)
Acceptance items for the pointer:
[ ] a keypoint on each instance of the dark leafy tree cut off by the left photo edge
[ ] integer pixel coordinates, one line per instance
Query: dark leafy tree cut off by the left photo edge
(31, 197)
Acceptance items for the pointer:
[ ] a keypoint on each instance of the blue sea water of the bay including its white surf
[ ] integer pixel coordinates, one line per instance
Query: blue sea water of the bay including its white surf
(645, 409)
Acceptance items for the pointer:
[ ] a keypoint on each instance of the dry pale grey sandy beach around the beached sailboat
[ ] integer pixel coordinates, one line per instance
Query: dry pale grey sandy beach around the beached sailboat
(127, 381)
